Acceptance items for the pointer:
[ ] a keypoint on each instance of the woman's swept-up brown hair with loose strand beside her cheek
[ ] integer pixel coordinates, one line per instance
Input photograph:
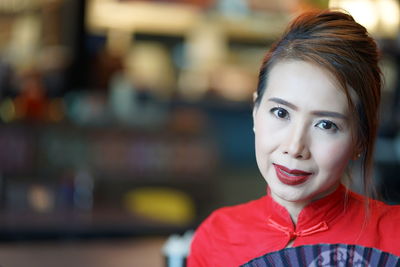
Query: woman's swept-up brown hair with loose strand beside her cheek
(334, 41)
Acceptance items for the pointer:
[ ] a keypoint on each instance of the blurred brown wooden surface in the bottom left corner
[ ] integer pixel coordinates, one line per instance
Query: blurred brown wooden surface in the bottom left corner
(105, 253)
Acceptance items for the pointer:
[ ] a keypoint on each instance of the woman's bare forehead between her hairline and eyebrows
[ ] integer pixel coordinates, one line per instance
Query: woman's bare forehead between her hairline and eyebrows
(306, 85)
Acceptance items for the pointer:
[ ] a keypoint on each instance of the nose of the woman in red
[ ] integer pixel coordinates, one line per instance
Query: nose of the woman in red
(296, 143)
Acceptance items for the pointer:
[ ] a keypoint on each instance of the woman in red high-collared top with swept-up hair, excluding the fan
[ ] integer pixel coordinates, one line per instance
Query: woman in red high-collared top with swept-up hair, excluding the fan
(316, 111)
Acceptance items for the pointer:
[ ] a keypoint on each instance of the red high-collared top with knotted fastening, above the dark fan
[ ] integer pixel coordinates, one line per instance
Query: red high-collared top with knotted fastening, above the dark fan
(232, 236)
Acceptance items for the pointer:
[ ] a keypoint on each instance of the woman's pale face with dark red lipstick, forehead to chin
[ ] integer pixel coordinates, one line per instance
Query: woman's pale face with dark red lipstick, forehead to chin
(302, 130)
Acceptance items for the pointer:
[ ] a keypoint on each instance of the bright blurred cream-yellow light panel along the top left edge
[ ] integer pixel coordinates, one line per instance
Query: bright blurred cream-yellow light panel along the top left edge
(152, 17)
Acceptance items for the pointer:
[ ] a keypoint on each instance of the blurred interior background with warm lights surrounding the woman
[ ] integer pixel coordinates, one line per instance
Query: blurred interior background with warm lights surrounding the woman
(123, 121)
